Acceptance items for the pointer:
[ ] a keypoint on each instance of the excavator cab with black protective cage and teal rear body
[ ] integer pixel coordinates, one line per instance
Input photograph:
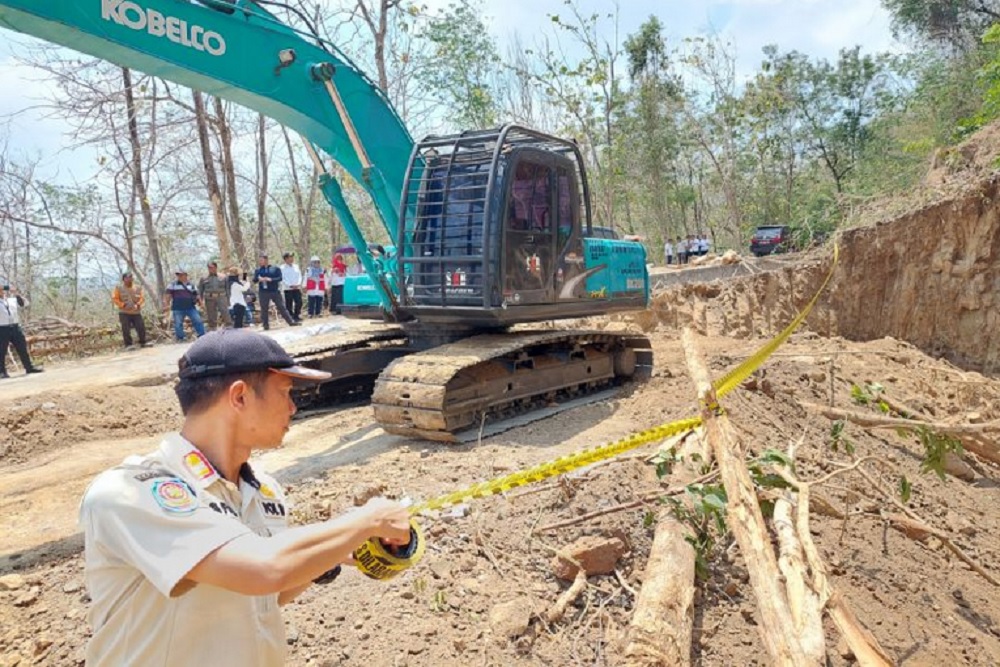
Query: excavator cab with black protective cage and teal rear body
(494, 227)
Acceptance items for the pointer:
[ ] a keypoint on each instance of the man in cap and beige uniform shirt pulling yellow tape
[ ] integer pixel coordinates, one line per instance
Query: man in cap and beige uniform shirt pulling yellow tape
(188, 551)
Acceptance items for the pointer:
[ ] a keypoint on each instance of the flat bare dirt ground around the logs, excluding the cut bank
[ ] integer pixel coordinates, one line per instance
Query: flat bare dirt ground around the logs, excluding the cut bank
(487, 577)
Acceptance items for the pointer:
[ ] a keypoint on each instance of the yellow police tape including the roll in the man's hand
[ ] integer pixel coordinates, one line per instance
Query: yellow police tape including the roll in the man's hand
(378, 562)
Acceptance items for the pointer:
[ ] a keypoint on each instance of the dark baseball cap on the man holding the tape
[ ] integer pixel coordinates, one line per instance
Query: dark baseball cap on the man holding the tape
(241, 351)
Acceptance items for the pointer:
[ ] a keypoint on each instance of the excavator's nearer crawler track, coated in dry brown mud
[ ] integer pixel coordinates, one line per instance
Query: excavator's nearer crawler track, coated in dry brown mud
(437, 393)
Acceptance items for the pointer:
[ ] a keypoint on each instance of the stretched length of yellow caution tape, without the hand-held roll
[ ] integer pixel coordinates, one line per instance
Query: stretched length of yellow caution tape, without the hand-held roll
(586, 457)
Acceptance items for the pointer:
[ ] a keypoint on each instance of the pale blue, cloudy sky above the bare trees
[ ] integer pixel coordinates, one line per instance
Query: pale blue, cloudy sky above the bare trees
(819, 28)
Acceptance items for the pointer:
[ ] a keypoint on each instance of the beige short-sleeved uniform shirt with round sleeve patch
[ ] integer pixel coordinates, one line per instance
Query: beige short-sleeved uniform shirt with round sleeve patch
(146, 524)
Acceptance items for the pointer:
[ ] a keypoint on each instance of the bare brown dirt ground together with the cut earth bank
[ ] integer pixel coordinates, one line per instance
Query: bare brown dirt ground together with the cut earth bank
(480, 595)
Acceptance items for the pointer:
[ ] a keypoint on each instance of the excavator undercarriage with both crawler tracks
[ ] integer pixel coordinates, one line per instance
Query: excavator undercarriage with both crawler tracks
(439, 392)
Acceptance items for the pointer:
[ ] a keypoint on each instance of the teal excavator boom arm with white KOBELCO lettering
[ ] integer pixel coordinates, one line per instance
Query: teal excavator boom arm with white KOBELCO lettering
(238, 51)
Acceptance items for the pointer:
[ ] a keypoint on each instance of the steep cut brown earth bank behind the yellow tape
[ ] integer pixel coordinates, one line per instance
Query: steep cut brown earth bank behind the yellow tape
(930, 277)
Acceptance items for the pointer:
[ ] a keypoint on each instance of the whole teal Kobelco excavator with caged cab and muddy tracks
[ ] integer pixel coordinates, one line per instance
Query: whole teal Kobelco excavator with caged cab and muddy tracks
(490, 229)
